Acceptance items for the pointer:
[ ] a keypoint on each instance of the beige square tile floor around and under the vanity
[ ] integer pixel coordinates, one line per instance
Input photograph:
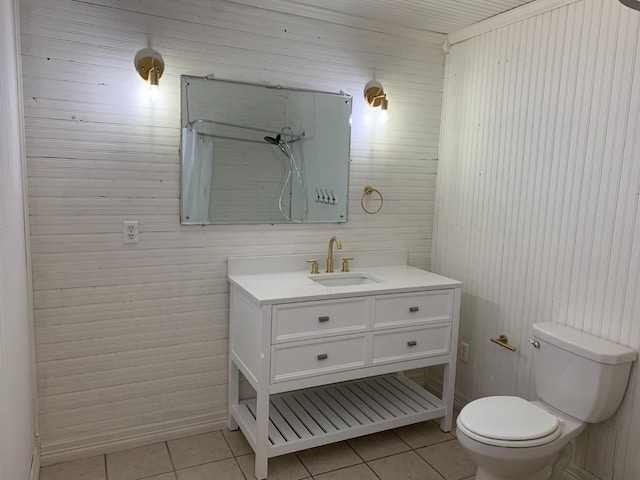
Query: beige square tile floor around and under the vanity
(416, 452)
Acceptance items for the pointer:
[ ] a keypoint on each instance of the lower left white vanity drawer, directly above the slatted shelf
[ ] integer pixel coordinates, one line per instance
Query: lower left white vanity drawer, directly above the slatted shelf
(317, 357)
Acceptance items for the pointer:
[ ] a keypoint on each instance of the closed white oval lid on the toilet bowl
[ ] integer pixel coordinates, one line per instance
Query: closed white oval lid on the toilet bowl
(507, 418)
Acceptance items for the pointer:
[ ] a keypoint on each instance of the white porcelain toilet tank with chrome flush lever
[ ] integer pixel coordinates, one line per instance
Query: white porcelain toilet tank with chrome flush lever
(579, 374)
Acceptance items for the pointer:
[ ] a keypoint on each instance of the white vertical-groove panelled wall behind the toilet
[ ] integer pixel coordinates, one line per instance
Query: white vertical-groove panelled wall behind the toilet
(539, 181)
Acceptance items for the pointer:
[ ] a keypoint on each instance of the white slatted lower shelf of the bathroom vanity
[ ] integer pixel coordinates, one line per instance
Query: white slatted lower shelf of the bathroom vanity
(316, 416)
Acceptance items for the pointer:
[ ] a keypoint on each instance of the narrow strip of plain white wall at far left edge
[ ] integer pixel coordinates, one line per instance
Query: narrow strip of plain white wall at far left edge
(17, 430)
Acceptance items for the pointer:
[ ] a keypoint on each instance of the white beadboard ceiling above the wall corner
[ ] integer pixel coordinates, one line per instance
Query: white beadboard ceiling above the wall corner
(441, 16)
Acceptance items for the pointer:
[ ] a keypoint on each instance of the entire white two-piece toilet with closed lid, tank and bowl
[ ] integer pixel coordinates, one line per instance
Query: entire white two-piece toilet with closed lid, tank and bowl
(579, 378)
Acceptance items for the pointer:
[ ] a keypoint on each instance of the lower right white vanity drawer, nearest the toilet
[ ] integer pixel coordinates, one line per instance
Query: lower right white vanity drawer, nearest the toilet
(411, 343)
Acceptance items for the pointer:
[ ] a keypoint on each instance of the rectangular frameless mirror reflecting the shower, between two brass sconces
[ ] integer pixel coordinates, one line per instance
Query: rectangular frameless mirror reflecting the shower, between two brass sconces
(257, 154)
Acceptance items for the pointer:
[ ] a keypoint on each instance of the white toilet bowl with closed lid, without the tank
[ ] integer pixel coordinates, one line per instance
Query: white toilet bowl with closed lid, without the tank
(510, 438)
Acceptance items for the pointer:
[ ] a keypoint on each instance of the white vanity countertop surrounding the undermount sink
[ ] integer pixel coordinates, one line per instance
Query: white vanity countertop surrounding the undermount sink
(298, 286)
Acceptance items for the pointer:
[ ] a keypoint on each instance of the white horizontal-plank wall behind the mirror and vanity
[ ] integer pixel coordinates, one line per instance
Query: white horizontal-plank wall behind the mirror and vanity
(132, 339)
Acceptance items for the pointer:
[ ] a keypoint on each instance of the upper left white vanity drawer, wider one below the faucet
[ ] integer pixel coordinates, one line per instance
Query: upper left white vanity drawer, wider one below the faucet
(297, 321)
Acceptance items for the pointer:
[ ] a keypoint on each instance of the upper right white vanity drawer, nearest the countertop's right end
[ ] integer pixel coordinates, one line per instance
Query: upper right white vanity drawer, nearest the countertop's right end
(405, 309)
